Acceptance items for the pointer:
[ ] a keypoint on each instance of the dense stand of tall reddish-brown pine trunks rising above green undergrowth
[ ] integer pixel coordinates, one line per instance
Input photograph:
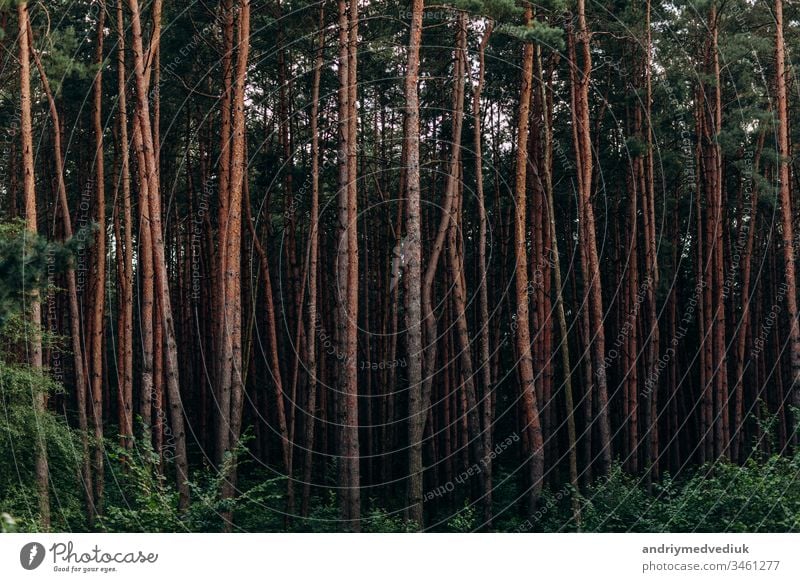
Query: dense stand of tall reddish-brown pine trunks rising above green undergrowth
(402, 341)
